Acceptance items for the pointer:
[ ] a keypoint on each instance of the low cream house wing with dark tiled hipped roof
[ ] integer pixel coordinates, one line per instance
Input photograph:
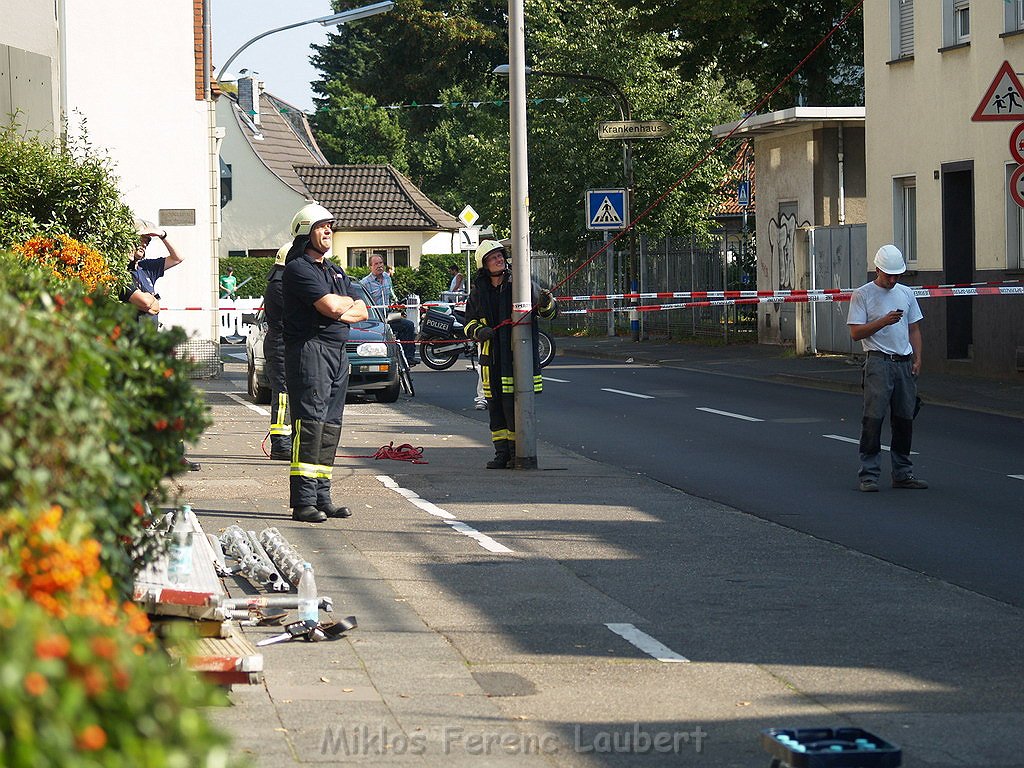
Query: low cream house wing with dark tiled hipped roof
(379, 211)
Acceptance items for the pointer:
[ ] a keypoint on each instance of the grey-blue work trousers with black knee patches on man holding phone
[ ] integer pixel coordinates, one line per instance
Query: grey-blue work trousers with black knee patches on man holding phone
(889, 387)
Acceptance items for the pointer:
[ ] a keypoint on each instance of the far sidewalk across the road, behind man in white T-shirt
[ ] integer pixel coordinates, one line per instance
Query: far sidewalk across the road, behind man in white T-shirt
(773, 363)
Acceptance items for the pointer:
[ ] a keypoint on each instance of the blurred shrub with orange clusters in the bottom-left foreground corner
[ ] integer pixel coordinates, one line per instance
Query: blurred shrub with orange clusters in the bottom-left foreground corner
(82, 684)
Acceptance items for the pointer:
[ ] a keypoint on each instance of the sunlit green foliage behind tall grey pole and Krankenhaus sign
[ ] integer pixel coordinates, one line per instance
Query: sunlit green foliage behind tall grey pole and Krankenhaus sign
(432, 53)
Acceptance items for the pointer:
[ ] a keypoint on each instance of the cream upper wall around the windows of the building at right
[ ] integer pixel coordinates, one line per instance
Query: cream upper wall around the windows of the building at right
(919, 117)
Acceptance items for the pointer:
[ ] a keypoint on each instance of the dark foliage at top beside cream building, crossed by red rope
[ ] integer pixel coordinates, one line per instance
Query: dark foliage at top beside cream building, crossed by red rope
(763, 41)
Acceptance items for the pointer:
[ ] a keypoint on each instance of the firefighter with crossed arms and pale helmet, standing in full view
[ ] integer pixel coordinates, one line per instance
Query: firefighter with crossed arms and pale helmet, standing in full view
(319, 306)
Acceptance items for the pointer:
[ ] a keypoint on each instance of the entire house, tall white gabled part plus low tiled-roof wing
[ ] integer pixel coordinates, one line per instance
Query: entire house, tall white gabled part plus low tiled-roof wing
(272, 166)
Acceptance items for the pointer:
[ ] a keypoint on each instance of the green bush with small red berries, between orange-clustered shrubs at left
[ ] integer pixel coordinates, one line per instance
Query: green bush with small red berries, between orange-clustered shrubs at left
(94, 407)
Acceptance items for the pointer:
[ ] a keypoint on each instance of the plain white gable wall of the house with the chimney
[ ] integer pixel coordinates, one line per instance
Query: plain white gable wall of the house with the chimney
(262, 208)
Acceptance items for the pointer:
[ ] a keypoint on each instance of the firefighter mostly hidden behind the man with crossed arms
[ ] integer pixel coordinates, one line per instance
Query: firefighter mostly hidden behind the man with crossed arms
(274, 354)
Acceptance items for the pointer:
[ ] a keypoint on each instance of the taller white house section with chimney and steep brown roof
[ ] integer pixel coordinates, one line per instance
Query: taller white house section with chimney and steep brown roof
(265, 140)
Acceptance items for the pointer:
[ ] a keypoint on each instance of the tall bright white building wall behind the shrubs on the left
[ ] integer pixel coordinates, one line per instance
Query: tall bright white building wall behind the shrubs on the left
(131, 75)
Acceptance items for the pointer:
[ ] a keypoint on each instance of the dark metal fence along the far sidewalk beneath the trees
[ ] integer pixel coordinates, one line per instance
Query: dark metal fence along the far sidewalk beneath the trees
(727, 263)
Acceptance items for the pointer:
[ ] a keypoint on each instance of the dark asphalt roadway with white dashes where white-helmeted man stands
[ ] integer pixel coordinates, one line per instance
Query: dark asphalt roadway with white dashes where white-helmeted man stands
(789, 455)
